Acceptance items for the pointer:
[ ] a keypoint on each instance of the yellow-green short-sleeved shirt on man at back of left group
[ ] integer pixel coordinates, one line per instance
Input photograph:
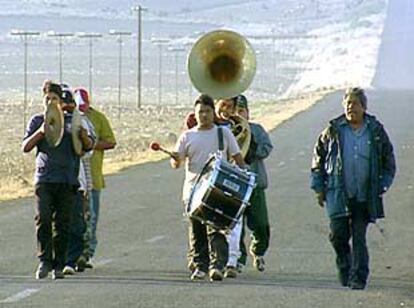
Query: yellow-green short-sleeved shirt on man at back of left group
(104, 132)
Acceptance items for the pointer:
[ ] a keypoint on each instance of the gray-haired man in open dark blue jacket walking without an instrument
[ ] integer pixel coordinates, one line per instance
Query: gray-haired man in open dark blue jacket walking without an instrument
(353, 165)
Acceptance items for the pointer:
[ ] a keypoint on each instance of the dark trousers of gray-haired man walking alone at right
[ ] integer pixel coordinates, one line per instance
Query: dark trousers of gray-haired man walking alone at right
(351, 260)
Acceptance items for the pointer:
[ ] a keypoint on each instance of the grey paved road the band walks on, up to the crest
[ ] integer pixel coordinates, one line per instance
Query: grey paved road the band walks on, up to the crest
(141, 256)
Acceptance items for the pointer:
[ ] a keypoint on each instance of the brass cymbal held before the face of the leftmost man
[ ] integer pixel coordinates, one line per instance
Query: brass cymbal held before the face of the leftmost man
(54, 124)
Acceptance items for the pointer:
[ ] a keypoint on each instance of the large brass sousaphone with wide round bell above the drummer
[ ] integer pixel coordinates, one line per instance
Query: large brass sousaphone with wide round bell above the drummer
(222, 64)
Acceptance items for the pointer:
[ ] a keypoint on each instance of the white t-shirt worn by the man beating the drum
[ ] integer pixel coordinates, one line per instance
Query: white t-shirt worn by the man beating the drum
(196, 146)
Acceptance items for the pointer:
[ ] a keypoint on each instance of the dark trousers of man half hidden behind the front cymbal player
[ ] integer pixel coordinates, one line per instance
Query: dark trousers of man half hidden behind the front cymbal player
(77, 229)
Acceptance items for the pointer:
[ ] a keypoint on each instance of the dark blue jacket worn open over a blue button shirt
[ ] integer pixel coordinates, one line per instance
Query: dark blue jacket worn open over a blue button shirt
(327, 175)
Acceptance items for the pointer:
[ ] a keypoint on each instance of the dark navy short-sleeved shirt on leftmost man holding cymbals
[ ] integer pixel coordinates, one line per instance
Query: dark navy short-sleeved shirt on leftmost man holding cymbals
(55, 164)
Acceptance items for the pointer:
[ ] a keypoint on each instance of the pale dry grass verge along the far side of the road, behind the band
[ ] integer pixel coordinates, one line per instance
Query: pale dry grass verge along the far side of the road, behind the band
(134, 131)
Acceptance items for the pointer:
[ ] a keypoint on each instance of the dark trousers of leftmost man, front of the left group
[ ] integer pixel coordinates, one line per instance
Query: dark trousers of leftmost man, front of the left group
(52, 219)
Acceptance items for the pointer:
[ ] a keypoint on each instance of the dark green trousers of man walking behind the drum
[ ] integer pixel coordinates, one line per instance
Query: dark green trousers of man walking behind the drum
(257, 221)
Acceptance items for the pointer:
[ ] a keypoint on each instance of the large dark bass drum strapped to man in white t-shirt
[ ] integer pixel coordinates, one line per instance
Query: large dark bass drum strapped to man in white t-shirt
(220, 194)
